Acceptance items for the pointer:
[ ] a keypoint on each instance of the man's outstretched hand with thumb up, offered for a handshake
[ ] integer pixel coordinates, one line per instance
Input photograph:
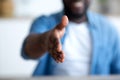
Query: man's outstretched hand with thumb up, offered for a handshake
(54, 43)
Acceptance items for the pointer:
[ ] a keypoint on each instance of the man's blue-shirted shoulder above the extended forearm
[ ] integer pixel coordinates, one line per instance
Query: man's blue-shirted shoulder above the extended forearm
(44, 23)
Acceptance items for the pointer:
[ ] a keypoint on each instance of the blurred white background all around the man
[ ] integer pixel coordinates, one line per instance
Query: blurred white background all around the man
(14, 30)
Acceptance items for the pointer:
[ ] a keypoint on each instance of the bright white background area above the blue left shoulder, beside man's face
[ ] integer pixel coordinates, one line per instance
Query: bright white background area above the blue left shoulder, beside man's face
(36, 7)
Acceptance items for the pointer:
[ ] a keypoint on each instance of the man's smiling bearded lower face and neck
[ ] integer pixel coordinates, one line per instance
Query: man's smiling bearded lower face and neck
(75, 13)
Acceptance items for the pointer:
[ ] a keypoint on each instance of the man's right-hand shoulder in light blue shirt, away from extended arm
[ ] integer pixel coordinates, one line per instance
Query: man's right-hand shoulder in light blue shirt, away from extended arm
(101, 22)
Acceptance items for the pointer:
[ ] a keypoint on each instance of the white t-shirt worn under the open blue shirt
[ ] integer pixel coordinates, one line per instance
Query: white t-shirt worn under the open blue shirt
(77, 49)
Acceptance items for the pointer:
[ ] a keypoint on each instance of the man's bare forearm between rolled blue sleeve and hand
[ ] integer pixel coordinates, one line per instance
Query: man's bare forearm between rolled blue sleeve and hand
(36, 45)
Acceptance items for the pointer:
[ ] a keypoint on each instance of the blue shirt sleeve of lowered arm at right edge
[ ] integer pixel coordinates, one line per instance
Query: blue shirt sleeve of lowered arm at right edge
(115, 66)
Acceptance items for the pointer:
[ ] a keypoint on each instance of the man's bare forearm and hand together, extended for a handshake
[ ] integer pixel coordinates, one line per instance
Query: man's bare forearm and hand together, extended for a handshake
(37, 44)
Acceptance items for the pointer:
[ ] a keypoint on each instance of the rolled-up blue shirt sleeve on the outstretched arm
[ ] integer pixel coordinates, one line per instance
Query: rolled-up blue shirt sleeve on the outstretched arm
(40, 25)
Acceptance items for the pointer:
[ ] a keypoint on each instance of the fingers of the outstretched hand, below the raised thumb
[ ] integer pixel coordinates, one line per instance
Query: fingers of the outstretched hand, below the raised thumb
(55, 49)
